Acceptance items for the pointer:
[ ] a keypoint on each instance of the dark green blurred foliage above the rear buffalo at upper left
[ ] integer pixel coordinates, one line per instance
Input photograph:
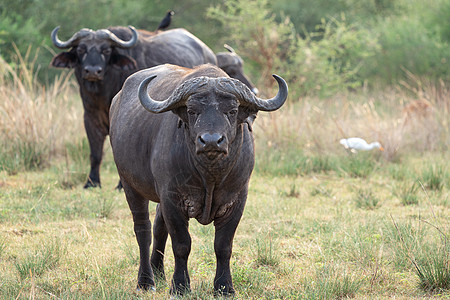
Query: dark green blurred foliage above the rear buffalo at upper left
(26, 22)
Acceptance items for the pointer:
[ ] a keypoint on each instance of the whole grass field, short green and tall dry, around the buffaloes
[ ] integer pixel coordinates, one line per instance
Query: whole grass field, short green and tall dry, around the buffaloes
(319, 223)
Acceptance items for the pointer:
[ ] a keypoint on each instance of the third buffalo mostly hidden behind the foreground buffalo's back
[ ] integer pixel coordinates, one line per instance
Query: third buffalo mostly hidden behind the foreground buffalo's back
(233, 65)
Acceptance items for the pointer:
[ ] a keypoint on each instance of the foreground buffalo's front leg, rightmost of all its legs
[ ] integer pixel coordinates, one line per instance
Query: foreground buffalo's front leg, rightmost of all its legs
(223, 245)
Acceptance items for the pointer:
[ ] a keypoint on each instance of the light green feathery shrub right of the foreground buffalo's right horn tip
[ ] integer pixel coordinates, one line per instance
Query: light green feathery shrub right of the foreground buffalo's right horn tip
(328, 60)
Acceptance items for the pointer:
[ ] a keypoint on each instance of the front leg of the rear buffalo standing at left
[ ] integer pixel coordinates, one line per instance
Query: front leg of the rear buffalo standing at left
(96, 137)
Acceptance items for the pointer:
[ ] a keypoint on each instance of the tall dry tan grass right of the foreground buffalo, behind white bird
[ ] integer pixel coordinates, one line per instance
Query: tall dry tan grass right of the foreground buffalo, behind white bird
(316, 125)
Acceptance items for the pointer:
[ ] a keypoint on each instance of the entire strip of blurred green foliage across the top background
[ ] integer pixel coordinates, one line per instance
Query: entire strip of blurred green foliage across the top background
(323, 46)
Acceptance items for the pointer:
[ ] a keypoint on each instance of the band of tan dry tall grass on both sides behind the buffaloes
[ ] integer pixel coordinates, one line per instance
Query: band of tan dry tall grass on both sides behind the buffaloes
(47, 117)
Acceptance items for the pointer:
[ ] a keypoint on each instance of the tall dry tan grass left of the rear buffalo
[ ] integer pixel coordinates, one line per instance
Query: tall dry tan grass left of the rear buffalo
(42, 117)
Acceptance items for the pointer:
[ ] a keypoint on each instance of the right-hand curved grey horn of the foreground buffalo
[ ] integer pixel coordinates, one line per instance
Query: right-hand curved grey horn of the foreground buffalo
(269, 104)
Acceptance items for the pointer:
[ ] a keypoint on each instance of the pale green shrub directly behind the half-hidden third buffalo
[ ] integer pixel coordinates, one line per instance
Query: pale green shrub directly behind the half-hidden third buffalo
(252, 27)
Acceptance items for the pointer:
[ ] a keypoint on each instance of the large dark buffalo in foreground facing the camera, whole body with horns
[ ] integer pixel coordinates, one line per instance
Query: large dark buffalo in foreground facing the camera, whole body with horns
(180, 138)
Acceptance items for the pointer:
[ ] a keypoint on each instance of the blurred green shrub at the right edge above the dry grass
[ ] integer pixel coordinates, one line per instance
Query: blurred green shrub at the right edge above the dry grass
(397, 36)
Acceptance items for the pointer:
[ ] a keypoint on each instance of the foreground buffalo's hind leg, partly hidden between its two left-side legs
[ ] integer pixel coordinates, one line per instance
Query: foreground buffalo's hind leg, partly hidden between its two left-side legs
(160, 234)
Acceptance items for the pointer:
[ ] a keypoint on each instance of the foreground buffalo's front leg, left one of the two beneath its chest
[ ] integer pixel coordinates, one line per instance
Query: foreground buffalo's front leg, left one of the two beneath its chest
(177, 225)
